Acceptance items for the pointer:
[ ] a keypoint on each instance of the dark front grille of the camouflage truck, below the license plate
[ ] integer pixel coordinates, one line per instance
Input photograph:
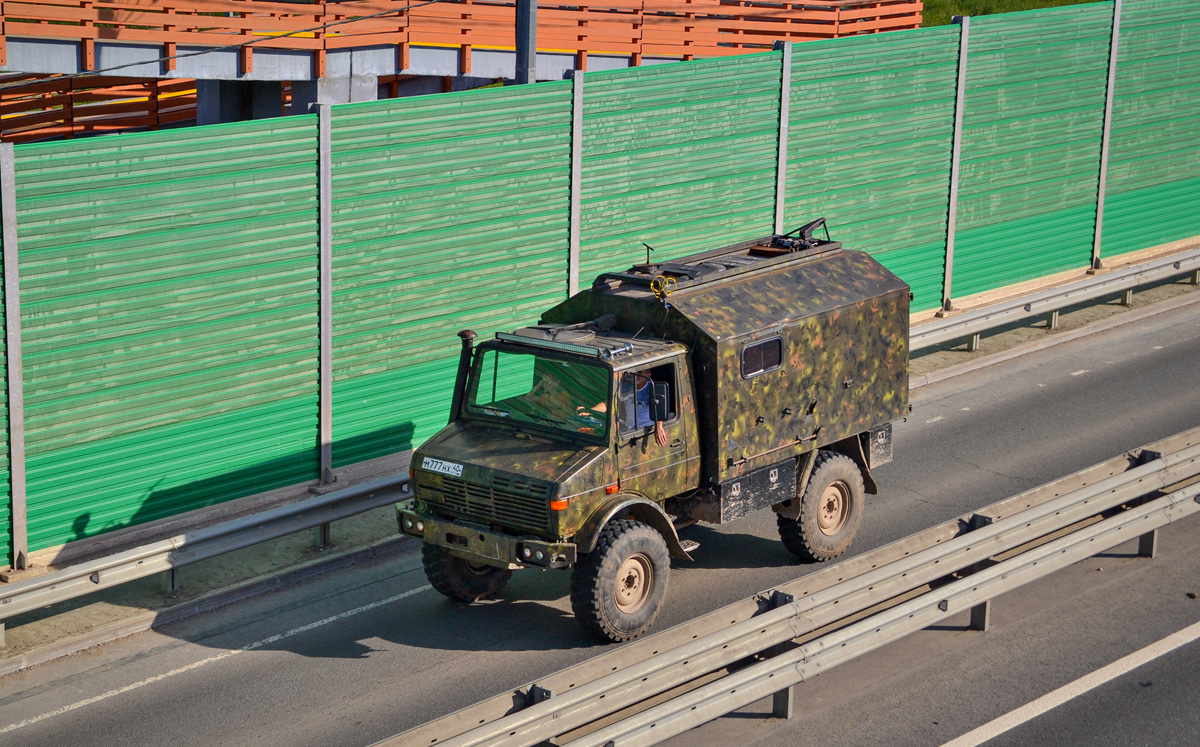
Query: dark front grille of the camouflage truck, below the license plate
(508, 501)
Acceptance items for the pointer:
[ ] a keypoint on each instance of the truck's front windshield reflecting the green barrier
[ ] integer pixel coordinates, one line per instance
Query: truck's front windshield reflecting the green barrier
(568, 396)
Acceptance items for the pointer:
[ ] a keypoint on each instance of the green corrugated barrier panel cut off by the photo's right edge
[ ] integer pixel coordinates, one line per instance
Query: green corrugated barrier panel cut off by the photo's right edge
(1154, 187)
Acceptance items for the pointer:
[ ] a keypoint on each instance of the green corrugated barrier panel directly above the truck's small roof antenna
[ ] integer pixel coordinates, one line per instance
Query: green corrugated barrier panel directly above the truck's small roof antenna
(680, 157)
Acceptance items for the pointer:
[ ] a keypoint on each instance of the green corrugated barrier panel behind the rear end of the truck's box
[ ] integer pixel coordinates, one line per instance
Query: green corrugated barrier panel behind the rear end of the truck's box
(869, 147)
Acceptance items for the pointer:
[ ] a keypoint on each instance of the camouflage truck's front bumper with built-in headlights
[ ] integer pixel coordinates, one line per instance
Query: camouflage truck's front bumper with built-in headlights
(478, 545)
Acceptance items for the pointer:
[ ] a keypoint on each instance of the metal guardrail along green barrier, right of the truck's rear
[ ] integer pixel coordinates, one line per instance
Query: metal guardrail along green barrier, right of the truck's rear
(1047, 302)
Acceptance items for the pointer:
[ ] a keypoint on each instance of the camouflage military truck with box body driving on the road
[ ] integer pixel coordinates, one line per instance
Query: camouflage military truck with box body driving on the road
(761, 375)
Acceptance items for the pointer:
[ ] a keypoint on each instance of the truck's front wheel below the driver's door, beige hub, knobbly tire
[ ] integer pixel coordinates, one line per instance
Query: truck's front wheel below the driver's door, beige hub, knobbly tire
(632, 555)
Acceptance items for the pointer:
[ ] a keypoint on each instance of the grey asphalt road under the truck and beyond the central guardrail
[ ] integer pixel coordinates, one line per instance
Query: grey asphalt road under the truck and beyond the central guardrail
(364, 654)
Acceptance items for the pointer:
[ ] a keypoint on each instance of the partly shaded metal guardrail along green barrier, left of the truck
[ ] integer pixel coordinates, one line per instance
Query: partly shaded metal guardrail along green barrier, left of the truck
(202, 545)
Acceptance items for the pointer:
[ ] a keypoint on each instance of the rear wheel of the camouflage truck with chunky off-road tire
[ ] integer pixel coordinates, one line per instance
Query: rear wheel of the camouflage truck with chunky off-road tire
(835, 498)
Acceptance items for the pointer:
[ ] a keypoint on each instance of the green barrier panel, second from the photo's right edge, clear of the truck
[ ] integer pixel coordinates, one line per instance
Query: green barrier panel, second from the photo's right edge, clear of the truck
(1031, 145)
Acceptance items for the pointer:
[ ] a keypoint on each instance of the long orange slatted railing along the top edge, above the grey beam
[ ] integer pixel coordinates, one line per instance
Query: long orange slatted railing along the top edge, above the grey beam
(637, 28)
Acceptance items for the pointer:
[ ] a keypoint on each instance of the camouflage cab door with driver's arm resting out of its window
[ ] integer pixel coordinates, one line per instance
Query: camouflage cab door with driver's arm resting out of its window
(658, 471)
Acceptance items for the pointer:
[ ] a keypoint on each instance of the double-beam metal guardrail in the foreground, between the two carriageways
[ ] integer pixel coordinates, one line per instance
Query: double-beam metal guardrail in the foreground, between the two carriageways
(682, 678)
